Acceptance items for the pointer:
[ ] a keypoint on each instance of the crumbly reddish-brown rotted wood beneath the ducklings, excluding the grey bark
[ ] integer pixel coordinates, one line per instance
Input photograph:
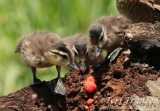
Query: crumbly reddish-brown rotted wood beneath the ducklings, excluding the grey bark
(115, 81)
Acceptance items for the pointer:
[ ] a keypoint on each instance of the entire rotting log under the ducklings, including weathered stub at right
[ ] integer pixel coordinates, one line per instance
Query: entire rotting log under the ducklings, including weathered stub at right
(117, 82)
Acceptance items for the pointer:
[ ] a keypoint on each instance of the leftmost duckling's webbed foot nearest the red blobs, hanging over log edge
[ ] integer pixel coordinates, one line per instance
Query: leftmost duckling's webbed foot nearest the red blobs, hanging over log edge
(57, 87)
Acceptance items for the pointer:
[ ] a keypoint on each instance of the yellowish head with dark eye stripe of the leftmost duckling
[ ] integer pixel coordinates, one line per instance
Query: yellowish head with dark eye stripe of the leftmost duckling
(58, 54)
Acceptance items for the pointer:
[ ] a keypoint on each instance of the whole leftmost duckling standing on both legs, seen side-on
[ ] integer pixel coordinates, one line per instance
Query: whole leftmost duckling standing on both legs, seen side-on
(45, 49)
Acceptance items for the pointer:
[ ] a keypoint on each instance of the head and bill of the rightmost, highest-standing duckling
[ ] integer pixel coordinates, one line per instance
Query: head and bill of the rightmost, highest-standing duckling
(98, 38)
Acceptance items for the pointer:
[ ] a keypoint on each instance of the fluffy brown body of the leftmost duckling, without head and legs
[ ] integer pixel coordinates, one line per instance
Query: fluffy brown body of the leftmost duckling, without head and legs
(32, 48)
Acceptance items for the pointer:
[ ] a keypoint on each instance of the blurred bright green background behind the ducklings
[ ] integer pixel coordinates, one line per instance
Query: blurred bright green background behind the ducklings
(19, 17)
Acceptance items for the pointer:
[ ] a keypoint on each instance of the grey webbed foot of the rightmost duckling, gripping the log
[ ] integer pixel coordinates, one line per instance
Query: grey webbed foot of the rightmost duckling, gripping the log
(114, 54)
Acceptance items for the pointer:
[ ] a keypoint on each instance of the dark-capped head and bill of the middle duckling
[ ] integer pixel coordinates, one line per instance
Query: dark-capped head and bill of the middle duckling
(80, 51)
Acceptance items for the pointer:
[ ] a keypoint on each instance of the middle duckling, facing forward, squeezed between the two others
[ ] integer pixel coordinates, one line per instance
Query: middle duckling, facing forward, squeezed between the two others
(82, 50)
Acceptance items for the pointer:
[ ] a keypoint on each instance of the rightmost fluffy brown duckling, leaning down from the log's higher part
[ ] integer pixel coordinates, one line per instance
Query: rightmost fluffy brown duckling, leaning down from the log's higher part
(107, 33)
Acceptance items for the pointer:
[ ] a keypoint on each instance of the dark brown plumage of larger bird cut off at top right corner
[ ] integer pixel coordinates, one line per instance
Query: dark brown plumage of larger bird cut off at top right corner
(140, 10)
